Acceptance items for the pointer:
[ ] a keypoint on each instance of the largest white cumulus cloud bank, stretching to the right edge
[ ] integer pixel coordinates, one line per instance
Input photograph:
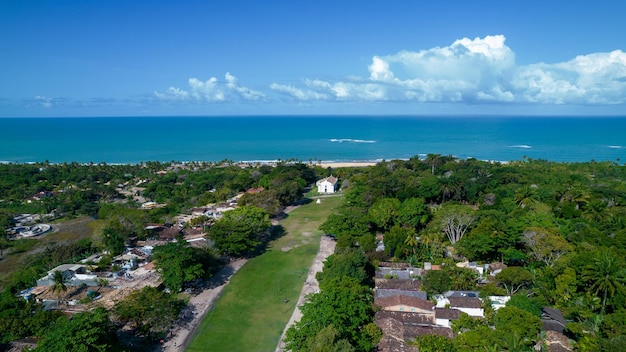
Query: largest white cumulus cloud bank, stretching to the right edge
(479, 70)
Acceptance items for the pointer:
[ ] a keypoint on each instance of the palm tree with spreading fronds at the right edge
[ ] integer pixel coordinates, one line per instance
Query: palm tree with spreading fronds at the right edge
(607, 275)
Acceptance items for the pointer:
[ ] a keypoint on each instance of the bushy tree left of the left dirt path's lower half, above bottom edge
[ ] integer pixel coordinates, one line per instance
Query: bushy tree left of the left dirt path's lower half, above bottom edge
(151, 312)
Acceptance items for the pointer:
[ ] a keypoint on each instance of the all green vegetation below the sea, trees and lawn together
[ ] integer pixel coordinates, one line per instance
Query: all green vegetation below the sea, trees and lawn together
(559, 227)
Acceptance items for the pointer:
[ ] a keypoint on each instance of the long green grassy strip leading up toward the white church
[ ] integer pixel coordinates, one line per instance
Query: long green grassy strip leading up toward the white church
(251, 313)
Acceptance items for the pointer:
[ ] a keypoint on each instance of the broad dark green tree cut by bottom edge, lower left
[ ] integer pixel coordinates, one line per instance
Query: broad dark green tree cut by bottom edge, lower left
(90, 331)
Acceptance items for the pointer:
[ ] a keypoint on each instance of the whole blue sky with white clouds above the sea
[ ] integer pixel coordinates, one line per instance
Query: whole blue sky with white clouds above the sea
(120, 58)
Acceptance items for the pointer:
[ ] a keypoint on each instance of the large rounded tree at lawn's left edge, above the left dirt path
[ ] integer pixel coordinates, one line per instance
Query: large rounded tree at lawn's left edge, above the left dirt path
(240, 231)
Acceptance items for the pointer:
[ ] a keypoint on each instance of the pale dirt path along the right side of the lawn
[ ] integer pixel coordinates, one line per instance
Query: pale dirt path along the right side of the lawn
(327, 247)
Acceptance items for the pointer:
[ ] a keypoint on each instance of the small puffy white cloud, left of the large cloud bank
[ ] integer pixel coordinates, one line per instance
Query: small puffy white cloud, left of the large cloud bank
(211, 90)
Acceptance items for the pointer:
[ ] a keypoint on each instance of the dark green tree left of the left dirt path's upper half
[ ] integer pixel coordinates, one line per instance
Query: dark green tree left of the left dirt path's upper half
(179, 263)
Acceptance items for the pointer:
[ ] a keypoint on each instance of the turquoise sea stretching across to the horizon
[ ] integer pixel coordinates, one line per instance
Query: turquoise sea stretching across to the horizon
(325, 138)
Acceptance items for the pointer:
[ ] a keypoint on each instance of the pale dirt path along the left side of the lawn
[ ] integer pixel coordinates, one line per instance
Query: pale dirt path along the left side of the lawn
(199, 305)
